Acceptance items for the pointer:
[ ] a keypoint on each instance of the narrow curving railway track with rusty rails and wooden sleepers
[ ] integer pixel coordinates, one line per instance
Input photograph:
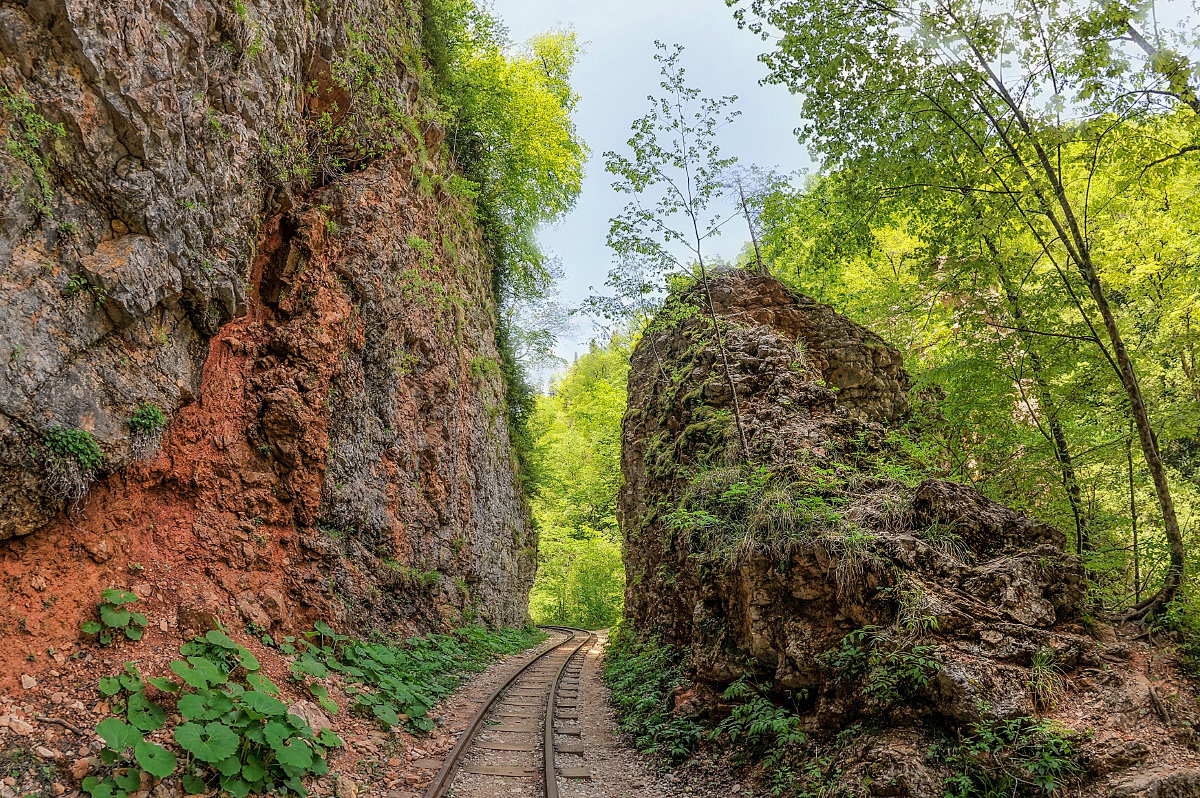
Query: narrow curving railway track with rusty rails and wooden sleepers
(531, 721)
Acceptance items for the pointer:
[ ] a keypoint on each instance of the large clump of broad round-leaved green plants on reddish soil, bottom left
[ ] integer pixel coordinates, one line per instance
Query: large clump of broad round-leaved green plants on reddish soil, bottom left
(235, 735)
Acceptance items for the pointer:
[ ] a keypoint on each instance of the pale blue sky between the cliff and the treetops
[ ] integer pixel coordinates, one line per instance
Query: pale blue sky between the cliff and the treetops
(614, 77)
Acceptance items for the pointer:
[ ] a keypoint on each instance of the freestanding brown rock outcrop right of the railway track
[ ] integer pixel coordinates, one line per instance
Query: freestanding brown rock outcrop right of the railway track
(916, 614)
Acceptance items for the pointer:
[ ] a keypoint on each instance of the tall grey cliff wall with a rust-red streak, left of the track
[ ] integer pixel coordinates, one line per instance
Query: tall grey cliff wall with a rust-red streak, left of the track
(232, 214)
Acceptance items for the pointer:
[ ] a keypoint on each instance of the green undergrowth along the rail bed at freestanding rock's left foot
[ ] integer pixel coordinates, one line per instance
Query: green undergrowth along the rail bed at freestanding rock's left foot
(644, 675)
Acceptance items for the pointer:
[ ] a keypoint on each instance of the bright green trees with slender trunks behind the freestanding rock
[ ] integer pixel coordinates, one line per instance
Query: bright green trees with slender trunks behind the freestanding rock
(1001, 244)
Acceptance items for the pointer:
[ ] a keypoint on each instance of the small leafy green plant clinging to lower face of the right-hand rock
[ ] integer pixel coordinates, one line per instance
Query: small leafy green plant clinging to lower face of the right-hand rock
(891, 670)
